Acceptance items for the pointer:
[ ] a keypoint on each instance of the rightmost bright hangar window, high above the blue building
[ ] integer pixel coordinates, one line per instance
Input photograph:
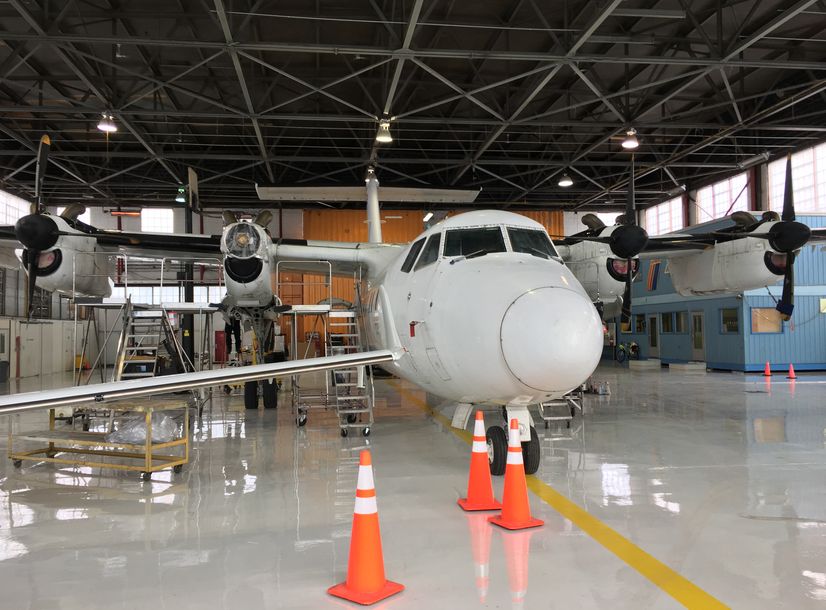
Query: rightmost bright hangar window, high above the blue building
(809, 180)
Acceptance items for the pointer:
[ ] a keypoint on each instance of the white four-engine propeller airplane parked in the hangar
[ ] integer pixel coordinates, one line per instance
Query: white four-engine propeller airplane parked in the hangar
(481, 308)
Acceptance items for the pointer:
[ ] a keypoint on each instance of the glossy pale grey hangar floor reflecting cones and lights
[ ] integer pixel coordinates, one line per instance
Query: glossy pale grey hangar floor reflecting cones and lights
(720, 476)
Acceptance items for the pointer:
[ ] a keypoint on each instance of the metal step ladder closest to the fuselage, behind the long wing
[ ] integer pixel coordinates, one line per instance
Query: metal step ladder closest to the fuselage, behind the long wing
(353, 386)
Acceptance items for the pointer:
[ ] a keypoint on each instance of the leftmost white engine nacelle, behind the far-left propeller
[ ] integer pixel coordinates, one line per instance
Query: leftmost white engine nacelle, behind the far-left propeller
(73, 266)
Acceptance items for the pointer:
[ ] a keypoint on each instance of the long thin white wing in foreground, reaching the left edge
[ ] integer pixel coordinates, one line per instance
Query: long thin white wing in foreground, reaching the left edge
(103, 392)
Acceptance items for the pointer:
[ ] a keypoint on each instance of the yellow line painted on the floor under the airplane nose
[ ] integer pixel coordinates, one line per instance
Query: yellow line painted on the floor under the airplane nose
(675, 585)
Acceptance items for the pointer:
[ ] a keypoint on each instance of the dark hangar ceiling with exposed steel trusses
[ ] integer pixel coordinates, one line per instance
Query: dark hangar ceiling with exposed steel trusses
(499, 95)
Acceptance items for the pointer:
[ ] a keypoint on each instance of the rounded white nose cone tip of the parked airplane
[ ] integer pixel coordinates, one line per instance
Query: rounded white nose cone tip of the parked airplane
(551, 339)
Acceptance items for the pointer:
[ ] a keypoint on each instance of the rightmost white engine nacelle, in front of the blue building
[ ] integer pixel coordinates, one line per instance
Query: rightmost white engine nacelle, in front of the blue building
(729, 267)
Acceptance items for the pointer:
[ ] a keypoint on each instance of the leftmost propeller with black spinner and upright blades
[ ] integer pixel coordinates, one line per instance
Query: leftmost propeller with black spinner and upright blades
(36, 231)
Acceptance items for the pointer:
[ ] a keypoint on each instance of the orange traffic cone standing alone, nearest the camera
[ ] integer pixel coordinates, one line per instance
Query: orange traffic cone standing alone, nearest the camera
(365, 582)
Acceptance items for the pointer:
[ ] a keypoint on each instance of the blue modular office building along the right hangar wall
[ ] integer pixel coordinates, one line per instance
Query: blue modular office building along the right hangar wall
(733, 332)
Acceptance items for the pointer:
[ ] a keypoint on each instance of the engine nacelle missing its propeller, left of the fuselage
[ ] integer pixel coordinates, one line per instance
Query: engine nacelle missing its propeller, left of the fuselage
(247, 268)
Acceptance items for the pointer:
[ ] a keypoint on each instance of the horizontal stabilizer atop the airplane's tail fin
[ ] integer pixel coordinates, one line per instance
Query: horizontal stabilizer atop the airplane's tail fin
(359, 193)
